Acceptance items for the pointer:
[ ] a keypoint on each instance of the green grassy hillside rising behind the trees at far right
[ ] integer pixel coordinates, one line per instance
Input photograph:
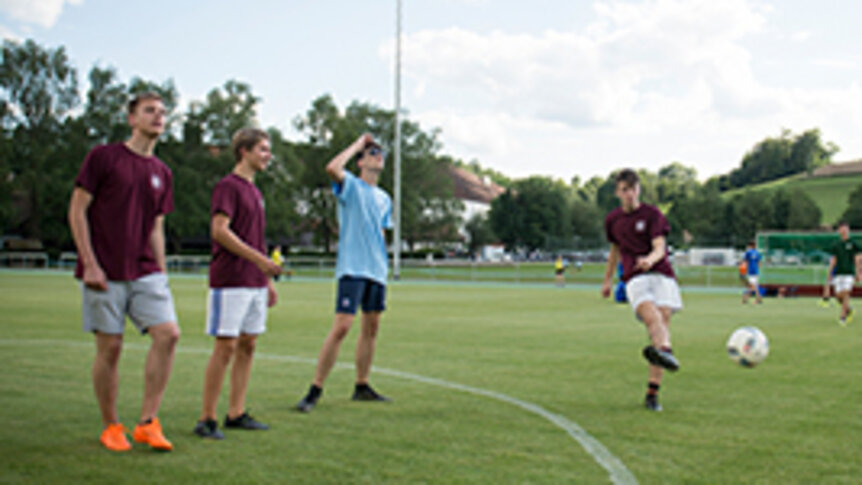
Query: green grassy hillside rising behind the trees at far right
(830, 193)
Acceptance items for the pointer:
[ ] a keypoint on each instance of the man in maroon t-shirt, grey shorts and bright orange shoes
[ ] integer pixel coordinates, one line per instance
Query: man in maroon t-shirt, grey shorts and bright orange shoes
(116, 215)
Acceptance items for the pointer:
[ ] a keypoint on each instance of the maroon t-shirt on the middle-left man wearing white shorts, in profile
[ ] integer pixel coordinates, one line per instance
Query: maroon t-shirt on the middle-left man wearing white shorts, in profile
(242, 202)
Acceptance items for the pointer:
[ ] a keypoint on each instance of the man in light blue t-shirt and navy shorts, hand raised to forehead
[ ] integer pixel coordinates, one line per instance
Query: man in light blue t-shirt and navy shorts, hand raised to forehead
(364, 211)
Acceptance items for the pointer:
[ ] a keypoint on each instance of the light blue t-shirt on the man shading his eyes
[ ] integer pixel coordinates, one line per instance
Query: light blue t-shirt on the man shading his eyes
(364, 211)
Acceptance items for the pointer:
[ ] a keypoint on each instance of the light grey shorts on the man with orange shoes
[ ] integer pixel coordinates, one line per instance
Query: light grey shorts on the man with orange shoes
(147, 301)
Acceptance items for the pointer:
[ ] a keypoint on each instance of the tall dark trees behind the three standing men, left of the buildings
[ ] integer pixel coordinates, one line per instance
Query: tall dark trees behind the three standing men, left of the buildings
(44, 141)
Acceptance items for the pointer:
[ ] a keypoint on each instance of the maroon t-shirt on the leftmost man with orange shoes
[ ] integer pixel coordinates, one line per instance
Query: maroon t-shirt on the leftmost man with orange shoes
(129, 191)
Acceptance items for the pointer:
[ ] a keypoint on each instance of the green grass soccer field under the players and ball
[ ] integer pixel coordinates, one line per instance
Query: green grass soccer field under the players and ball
(795, 419)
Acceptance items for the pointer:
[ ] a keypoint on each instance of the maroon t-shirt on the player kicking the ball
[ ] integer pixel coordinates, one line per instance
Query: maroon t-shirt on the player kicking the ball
(633, 233)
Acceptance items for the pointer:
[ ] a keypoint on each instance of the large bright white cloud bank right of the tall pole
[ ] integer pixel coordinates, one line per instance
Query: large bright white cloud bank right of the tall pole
(644, 83)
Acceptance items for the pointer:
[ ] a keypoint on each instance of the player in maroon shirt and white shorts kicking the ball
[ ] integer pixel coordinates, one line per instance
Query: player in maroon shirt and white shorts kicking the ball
(637, 233)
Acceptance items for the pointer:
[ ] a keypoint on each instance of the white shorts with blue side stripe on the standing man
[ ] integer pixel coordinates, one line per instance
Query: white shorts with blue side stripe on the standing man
(235, 311)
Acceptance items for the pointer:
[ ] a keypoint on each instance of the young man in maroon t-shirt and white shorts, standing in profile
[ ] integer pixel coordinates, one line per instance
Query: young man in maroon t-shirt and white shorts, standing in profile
(240, 287)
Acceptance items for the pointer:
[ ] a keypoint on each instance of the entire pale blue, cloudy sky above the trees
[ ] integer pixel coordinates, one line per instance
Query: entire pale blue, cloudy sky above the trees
(548, 87)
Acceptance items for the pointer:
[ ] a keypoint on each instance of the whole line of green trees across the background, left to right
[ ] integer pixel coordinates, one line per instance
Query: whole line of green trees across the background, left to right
(47, 129)
